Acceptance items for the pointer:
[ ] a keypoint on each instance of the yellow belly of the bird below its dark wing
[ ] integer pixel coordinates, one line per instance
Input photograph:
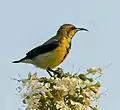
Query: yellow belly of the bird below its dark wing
(51, 59)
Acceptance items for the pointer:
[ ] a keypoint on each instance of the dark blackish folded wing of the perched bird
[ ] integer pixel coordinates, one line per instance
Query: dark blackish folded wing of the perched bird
(46, 47)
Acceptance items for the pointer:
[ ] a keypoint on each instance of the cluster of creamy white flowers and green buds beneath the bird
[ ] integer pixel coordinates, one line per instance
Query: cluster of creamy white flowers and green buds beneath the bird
(62, 91)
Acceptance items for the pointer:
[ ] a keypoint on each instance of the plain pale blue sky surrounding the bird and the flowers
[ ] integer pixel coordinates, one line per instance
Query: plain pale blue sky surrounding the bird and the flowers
(25, 24)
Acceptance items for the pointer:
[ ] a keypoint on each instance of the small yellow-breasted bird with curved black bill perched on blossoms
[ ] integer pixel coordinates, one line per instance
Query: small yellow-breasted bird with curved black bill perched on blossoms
(54, 51)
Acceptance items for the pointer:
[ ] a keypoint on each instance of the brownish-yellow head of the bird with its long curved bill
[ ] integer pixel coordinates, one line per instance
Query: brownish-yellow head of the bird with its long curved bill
(69, 30)
